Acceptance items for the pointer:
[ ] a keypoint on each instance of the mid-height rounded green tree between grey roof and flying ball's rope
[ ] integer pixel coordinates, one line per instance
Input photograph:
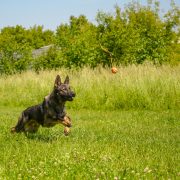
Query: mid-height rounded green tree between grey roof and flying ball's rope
(78, 42)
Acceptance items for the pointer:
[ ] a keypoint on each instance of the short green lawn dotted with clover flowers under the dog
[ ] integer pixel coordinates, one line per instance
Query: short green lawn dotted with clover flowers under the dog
(101, 145)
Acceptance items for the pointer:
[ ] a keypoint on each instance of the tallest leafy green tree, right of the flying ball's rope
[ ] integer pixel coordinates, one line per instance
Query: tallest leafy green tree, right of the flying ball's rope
(137, 34)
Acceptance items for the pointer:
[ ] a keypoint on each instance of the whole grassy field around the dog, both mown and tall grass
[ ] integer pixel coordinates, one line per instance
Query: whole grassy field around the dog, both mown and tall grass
(125, 126)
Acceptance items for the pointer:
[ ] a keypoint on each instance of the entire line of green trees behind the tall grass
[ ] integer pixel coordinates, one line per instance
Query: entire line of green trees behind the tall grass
(135, 35)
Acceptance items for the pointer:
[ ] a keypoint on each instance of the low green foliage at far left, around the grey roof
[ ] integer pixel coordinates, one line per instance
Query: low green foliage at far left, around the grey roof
(16, 45)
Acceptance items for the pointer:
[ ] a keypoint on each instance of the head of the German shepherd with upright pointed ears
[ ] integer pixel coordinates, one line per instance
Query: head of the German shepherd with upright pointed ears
(62, 90)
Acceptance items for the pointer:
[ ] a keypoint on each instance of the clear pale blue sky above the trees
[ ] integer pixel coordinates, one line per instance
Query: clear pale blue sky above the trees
(51, 13)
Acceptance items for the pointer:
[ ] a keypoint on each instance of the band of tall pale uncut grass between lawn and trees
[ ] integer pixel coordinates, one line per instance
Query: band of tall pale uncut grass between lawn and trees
(144, 86)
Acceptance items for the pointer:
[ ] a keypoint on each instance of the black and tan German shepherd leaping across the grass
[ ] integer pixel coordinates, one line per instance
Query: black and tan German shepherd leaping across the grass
(50, 112)
